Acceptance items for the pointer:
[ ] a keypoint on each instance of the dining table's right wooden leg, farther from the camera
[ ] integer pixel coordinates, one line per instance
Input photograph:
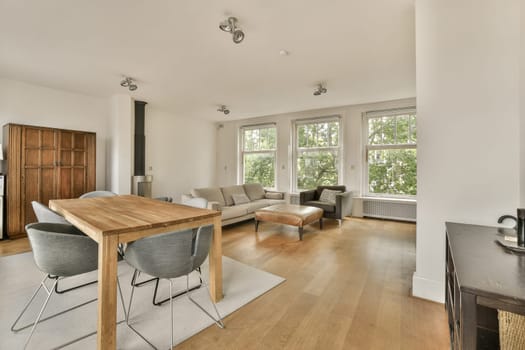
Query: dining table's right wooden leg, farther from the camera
(216, 261)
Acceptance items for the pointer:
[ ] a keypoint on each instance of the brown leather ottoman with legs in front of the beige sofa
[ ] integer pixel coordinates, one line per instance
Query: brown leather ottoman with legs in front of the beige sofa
(290, 214)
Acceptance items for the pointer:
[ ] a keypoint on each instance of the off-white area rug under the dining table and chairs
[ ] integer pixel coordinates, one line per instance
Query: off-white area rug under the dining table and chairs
(19, 277)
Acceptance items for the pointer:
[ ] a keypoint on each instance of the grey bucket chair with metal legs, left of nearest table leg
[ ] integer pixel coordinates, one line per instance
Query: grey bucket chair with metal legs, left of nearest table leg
(59, 250)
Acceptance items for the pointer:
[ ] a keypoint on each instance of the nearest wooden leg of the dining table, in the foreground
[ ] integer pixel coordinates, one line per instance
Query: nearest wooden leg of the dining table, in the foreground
(107, 293)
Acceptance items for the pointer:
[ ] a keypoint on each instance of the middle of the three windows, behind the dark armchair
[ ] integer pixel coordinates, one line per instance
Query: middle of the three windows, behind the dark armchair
(317, 153)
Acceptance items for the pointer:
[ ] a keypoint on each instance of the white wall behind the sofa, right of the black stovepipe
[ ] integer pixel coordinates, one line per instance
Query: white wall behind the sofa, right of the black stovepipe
(180, 153)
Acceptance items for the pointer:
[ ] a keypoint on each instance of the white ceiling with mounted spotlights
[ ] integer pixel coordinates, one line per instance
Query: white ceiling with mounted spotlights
(364, 50)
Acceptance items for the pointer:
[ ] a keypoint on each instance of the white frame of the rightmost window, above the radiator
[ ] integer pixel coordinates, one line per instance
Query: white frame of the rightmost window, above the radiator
(368, 147)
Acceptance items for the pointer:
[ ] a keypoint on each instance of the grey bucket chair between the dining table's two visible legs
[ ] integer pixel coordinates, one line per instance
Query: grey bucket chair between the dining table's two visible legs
(169, 256)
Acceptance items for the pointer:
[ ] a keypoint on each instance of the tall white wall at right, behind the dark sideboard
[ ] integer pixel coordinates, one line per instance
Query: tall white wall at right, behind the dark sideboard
(467, 60)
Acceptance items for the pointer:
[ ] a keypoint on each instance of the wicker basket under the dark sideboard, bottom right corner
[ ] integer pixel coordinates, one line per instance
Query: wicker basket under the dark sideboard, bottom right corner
(511, 331)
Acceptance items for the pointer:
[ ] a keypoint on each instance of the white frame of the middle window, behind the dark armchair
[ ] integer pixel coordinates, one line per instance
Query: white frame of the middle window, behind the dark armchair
(296, 150)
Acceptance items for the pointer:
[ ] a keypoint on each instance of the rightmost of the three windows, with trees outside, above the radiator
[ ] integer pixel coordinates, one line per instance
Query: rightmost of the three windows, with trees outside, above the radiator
(391, 155)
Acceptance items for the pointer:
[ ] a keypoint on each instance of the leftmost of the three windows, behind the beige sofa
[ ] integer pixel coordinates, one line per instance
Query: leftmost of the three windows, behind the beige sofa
(258, 154)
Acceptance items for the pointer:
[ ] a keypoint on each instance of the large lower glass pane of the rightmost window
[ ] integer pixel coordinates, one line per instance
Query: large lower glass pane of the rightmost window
(392, 171)
